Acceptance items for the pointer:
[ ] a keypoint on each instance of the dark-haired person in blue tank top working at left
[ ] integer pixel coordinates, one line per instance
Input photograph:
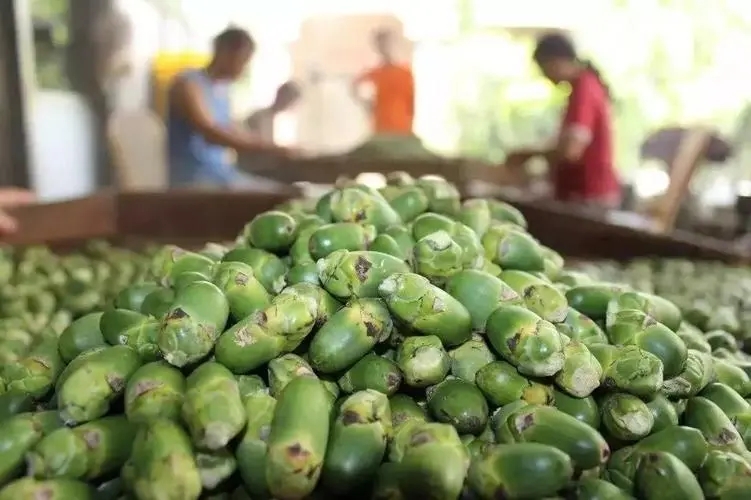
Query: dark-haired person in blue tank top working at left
(202, 137)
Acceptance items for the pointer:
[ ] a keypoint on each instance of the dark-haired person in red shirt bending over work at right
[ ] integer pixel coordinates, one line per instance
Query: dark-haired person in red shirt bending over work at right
(581, 162)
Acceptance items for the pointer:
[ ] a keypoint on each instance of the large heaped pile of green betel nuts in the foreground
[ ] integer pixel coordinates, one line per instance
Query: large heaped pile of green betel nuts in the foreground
(394, 344)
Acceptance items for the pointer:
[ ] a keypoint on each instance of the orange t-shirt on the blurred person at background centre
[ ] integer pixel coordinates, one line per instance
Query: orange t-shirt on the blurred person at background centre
(394, 105)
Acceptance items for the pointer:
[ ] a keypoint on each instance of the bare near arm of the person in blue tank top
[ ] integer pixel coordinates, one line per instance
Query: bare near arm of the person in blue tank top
(187, 99)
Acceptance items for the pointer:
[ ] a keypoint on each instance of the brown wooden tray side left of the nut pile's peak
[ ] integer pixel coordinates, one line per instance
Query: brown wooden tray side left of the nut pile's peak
(167, 216)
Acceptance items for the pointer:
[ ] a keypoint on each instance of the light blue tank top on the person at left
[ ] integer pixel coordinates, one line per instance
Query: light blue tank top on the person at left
(192, 159)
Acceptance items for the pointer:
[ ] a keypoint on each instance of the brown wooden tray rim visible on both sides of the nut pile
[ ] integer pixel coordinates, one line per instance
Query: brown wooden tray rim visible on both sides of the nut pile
(192, 217)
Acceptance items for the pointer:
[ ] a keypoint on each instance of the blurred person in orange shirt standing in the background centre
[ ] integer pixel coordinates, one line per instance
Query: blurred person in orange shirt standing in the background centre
(392, 107)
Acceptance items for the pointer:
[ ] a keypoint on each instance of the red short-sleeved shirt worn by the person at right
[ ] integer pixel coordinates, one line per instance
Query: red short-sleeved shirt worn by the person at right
(593, 177)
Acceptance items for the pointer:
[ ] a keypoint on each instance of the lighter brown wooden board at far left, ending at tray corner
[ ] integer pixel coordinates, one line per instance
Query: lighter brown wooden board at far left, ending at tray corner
(80, 219)
